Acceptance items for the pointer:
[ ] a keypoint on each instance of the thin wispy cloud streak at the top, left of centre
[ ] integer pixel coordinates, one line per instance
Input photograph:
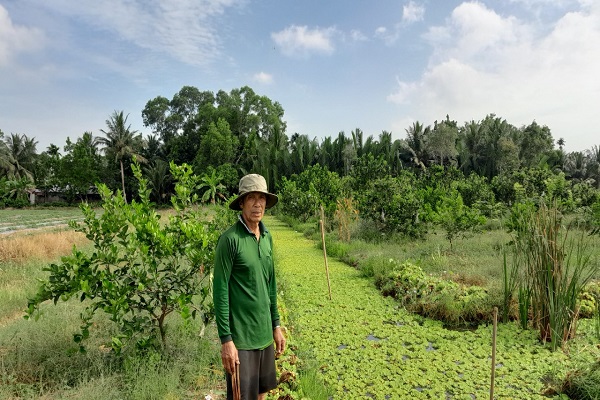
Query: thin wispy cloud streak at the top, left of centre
(184, 29)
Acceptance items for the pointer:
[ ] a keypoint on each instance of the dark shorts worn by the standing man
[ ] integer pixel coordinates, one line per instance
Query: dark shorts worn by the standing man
(257, 373)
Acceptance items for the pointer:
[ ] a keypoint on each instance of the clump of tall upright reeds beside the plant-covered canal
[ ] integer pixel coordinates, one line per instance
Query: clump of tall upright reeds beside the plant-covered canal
(555, 268)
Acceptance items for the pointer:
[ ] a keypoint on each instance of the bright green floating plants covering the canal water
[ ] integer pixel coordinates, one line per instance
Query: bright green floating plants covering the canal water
(365, 345)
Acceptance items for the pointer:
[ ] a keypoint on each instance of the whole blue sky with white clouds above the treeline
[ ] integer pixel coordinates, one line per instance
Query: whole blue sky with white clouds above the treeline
(334, 65)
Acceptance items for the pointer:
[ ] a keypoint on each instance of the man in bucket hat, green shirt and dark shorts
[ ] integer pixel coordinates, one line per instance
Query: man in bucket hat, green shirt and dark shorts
(245, 294)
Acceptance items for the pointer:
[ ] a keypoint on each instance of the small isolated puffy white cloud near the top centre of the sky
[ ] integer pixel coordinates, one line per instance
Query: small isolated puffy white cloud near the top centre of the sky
(297, 41)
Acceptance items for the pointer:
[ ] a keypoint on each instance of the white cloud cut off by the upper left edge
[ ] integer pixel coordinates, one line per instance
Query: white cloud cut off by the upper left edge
(15, 39)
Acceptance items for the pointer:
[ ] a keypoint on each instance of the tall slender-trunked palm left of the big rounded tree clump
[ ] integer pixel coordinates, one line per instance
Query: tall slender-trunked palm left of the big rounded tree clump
(121, 142)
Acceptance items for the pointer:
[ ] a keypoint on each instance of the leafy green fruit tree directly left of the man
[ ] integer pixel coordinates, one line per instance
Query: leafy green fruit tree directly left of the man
(141, 270)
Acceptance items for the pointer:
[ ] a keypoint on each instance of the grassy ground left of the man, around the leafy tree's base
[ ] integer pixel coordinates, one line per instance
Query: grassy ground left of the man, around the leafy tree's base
(39, 360)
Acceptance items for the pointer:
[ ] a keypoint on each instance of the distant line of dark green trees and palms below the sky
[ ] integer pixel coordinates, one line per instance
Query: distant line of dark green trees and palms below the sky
(225, 135)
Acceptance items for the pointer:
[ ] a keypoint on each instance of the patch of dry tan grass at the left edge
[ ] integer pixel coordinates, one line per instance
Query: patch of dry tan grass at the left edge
(22, 247)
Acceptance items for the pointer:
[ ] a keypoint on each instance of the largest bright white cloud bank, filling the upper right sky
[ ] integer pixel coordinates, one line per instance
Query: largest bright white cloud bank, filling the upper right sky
(485, 63)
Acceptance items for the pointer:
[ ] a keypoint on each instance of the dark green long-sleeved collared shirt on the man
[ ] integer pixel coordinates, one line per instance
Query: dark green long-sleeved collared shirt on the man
(244, 288)
